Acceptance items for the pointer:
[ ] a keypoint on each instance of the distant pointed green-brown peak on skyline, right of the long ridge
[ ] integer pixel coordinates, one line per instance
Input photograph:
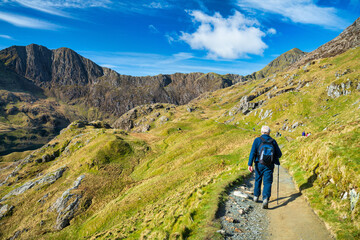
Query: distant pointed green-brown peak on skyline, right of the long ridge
(279, 64)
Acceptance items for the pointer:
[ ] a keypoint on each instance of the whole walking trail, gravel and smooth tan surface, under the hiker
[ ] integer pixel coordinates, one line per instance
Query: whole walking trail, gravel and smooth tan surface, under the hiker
(291, 218)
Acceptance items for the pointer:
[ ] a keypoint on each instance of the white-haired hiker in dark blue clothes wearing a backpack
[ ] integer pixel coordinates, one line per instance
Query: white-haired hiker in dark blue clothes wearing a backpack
(264, 165)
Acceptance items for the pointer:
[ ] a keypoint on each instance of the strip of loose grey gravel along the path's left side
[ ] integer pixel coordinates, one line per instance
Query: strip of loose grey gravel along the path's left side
(241, 217)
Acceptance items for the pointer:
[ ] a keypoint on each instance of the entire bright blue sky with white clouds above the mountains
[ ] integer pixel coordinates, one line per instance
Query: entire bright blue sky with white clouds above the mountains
(150, 37)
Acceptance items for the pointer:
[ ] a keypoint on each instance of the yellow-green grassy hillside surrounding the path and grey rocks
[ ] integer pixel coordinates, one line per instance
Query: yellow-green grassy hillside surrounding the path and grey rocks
(167, 183)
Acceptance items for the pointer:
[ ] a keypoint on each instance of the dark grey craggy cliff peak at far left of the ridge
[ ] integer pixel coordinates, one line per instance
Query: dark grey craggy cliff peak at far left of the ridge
(47, 67)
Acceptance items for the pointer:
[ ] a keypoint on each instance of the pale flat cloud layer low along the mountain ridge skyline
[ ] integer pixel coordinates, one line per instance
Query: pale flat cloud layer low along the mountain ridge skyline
(142, 64)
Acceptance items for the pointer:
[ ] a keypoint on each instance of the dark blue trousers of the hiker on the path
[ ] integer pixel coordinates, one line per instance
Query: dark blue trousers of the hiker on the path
(265, 173)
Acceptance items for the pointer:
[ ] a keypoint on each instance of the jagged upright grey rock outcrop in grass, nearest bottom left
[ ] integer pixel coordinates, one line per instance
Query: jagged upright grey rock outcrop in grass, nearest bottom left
(66, 205)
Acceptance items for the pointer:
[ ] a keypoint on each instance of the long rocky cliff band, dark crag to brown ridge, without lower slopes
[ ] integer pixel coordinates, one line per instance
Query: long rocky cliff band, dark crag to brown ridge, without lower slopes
(64, 74)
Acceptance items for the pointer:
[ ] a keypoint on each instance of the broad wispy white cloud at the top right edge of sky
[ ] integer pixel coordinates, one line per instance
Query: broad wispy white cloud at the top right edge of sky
(298, 11)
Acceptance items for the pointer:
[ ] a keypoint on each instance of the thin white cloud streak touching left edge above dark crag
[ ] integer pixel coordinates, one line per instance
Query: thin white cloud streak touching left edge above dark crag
(26, 22)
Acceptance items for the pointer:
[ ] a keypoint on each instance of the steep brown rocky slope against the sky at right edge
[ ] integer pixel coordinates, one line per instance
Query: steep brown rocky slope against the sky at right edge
(349, 38)
